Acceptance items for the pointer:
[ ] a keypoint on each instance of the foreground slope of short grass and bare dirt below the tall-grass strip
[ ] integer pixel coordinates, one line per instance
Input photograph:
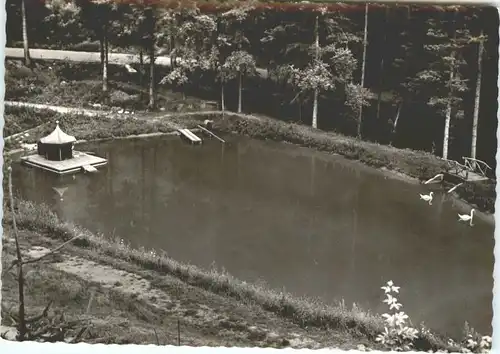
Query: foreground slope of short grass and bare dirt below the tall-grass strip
(121, 303)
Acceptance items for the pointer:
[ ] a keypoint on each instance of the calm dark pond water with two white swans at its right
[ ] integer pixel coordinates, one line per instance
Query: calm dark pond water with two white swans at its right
(312, 223)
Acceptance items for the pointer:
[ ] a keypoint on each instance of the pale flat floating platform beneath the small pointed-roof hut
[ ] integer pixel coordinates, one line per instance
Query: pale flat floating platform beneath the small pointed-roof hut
(80, 161)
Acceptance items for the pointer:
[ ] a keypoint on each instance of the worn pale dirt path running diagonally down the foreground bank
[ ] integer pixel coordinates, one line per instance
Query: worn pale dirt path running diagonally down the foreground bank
(168, 297)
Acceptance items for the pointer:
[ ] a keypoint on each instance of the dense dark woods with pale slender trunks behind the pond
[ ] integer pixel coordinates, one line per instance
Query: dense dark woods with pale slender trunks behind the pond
(411, 76)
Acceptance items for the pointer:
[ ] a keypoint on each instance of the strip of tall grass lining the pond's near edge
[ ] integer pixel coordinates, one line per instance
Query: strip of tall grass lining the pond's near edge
(317, 318)
